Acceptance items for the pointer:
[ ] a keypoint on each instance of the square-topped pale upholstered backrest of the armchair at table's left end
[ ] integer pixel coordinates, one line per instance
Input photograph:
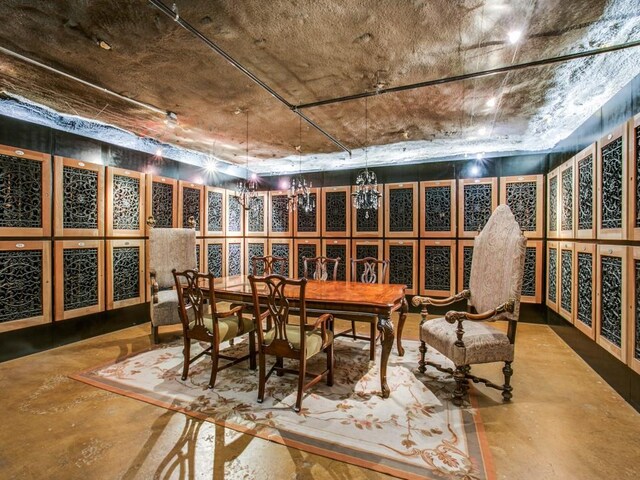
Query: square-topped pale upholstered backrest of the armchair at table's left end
(171, 248)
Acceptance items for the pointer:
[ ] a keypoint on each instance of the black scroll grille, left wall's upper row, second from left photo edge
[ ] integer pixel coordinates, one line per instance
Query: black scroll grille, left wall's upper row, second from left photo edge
(79, 198)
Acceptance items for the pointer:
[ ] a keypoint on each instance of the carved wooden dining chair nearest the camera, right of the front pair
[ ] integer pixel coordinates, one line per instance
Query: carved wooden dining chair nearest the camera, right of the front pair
(284, 340)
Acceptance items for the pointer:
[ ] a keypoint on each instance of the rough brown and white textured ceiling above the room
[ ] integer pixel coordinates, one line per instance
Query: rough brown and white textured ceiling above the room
(313, 50)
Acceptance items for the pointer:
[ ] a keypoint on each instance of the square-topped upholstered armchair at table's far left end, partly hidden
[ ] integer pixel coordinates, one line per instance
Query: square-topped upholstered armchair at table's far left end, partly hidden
(169, 248)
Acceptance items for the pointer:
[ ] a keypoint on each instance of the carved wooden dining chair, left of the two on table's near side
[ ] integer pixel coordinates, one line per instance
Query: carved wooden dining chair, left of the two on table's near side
(214, 327)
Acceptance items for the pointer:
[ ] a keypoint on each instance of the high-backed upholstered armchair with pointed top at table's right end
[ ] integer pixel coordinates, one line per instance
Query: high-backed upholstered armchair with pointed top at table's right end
(467, 338)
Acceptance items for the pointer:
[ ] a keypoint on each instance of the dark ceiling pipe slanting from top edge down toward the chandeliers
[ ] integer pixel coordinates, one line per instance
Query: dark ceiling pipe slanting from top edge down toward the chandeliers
(169, 12)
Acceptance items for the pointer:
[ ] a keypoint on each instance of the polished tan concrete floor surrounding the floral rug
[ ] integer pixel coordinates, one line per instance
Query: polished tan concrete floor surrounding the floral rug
(565, 422)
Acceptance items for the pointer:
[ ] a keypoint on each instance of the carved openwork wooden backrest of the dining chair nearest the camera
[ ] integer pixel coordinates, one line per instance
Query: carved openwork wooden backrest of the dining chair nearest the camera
(272, 297)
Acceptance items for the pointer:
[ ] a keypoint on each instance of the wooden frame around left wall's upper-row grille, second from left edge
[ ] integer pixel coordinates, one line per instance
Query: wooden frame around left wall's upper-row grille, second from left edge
(58, 196)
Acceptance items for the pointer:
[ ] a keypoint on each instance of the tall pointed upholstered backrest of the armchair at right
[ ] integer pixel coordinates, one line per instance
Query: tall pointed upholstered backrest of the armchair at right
(497, 266)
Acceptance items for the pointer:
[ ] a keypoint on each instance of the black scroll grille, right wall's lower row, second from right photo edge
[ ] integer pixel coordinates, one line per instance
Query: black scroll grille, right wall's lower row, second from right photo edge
(611, 299)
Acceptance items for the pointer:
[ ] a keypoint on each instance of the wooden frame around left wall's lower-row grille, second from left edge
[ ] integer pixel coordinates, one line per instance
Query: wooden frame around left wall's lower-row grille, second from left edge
(59, 248)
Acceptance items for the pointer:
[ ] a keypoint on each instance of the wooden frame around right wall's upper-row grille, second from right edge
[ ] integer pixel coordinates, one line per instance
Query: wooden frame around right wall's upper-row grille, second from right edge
(613, 233)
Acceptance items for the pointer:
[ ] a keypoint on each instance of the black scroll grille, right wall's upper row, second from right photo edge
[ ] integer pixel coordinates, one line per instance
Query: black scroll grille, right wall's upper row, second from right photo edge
(612, 185)
